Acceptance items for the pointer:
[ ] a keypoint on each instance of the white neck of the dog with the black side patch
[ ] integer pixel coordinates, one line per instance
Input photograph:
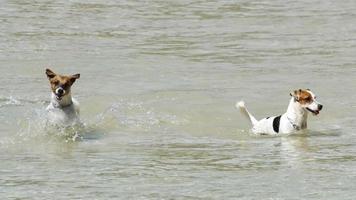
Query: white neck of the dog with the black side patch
(296, 114)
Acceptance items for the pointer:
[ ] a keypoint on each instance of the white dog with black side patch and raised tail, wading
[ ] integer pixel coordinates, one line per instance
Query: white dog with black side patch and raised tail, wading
(295, 119)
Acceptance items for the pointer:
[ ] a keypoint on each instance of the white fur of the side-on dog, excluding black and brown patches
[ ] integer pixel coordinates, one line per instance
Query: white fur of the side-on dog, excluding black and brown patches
(293, 120)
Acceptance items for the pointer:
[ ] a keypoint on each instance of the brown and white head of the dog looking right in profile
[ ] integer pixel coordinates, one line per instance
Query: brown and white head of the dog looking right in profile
(307, 100)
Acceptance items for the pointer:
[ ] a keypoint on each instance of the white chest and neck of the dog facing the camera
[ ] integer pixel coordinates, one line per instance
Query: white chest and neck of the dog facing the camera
(63, 112)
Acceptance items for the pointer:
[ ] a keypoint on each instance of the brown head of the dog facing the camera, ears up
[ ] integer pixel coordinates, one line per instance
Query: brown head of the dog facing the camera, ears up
(60, 84)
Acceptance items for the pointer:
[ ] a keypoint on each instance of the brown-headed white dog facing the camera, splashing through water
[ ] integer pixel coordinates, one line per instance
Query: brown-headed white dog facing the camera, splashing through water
(63, 109)
